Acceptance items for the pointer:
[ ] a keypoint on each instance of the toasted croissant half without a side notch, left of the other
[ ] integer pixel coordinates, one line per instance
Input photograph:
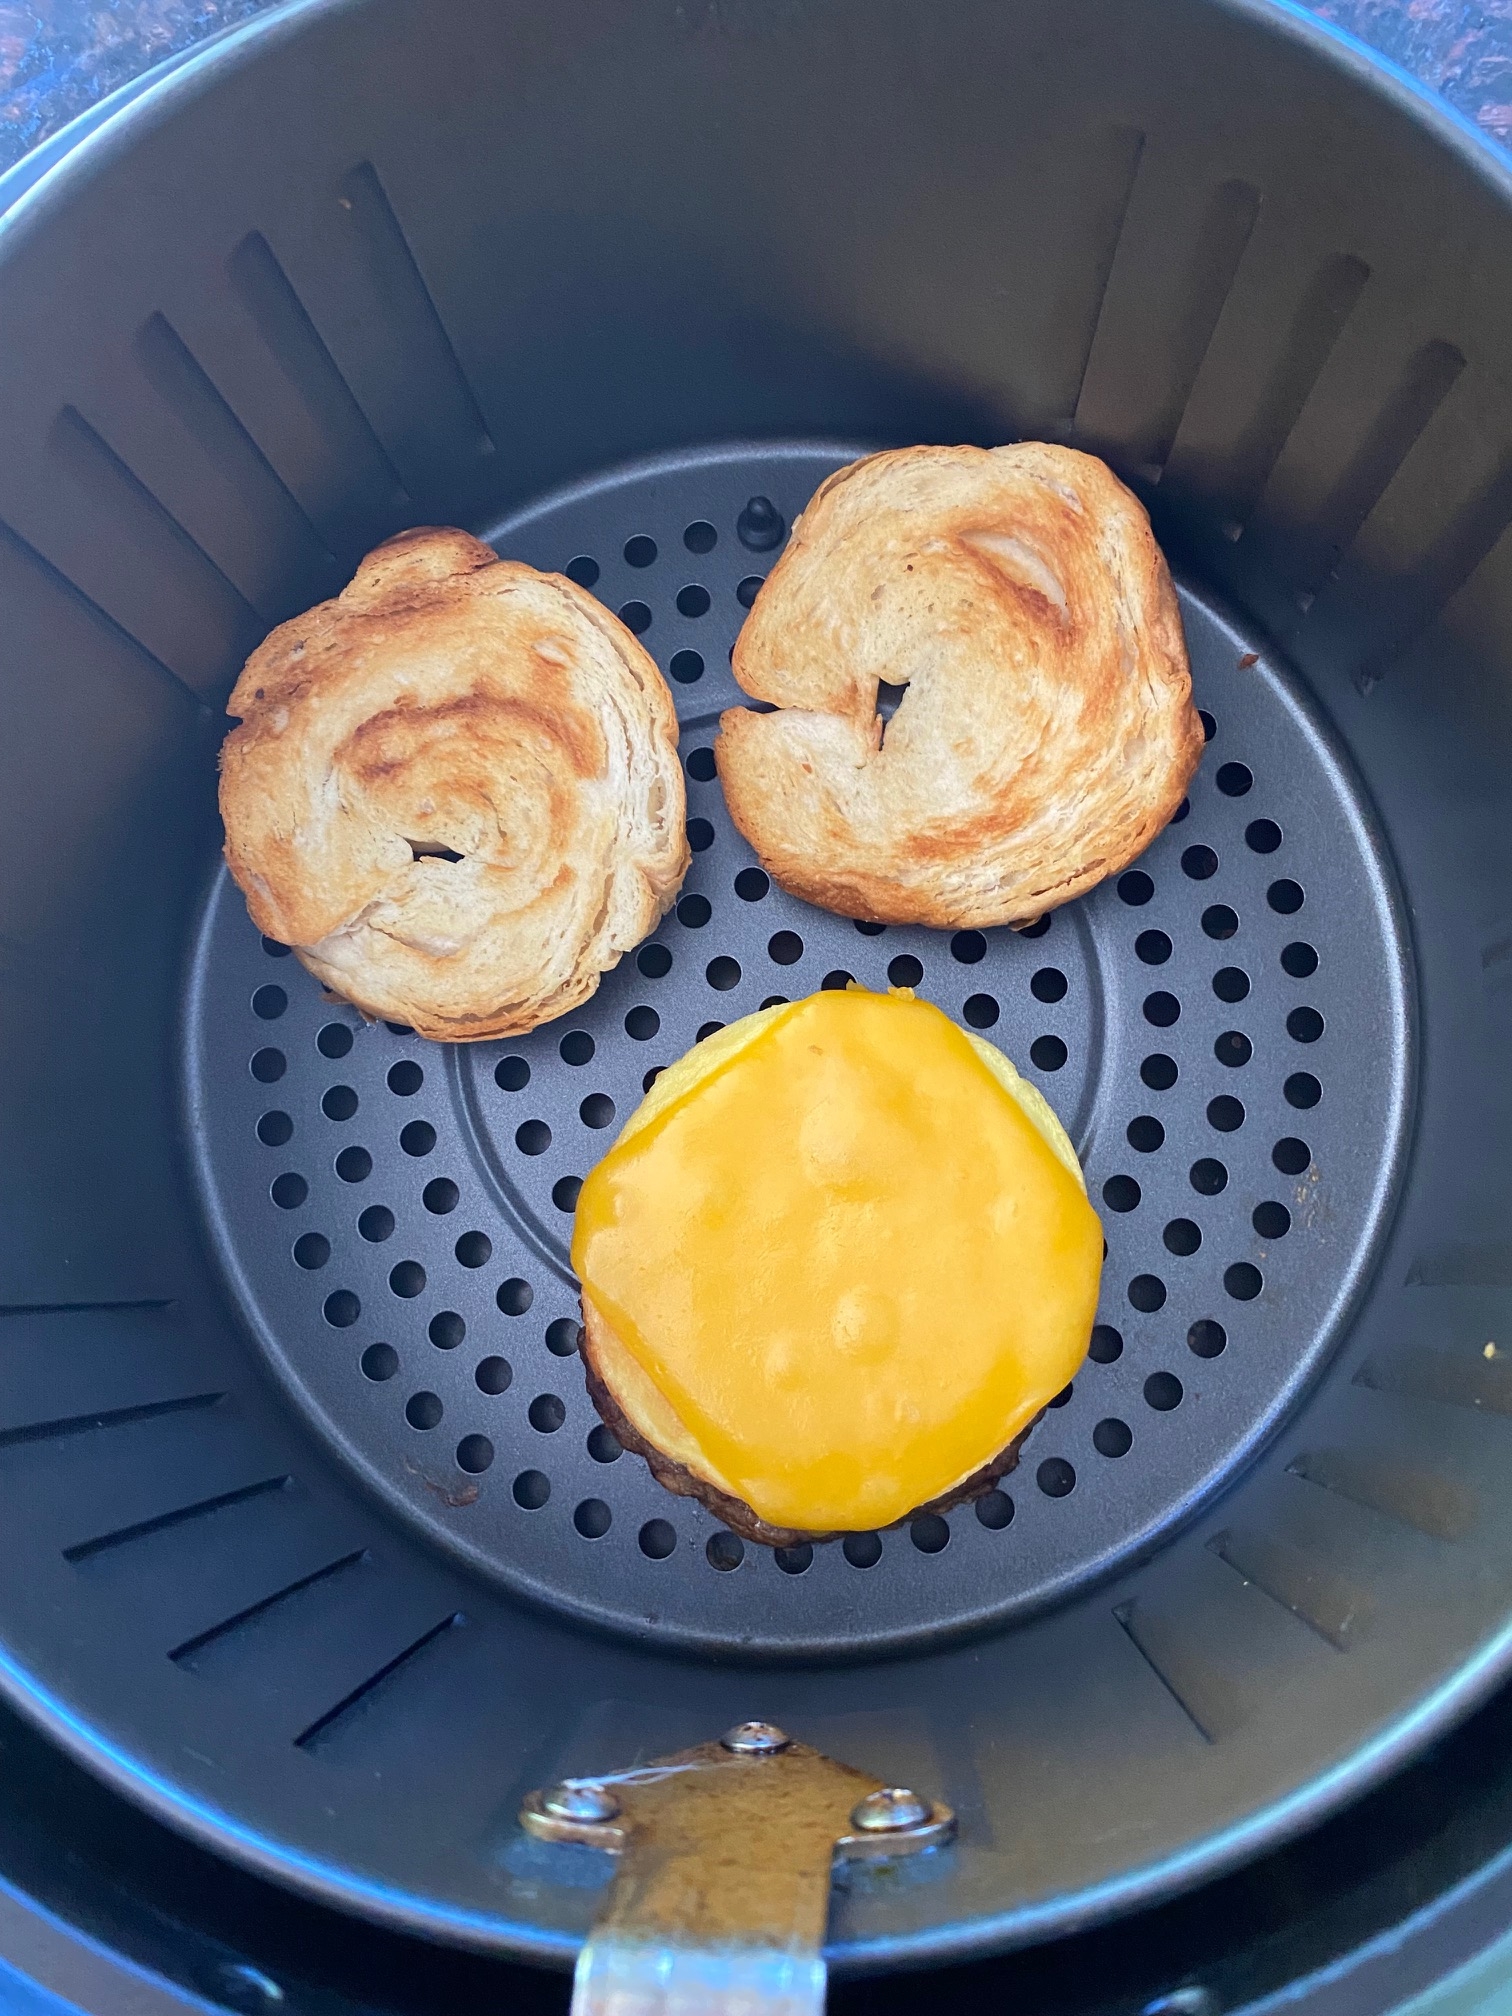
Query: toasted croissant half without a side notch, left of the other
(455, 789)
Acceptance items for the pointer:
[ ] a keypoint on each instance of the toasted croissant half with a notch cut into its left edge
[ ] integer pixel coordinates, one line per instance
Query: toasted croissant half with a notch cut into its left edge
(1047, 733)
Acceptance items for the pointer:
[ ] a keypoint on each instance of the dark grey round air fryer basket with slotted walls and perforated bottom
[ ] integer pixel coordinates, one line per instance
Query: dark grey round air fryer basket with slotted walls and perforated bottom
(311, 1537)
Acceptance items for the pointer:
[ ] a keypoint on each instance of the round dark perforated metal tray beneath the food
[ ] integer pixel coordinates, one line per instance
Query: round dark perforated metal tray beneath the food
(1223, 1031)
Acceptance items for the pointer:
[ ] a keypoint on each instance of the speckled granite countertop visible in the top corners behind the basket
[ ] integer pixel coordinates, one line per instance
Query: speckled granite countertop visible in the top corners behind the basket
(59, 57)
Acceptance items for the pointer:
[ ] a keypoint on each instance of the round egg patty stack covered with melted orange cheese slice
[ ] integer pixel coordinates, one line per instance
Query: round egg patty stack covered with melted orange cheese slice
(838, 1259)
